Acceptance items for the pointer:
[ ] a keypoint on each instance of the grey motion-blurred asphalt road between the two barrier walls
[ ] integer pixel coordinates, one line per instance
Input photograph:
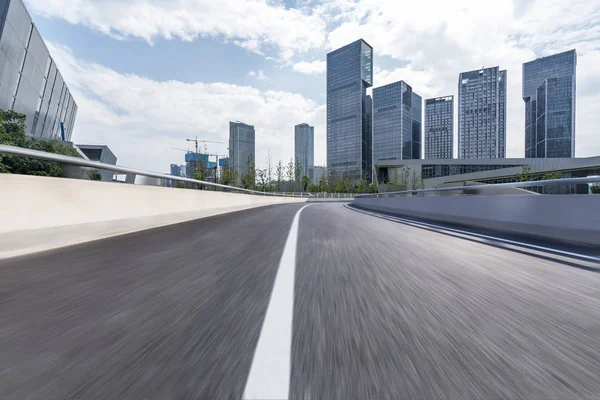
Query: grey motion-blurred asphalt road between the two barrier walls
(381, 310)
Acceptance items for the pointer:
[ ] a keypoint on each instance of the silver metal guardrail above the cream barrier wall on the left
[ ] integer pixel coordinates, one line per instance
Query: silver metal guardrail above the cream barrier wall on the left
(80, 162)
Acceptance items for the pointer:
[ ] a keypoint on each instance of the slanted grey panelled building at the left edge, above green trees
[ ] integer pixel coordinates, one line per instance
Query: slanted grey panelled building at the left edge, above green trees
(30, 82)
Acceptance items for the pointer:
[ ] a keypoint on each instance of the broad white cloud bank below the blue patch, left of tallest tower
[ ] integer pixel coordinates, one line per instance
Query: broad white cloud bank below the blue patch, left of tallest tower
(142, 120)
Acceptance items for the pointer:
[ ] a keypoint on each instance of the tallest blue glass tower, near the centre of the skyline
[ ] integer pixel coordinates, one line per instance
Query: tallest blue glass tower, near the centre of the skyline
(349, 74)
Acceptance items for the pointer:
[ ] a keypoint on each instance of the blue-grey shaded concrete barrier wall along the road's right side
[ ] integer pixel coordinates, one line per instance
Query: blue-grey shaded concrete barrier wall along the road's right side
(571, 218)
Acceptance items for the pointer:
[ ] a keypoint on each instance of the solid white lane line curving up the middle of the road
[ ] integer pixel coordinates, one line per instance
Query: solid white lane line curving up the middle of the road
(269, 376)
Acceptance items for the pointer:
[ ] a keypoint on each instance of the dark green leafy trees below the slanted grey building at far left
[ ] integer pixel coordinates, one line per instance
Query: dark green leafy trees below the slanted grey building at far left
(12, 133)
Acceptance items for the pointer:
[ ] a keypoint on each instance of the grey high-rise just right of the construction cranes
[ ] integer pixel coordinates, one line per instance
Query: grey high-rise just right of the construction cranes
(241, 146)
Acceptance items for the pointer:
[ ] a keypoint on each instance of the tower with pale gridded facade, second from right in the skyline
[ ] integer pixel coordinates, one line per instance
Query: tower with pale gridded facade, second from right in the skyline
(482, 113)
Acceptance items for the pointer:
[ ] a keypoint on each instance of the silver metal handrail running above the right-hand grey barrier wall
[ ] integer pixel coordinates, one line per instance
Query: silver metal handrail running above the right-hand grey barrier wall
(490, 187)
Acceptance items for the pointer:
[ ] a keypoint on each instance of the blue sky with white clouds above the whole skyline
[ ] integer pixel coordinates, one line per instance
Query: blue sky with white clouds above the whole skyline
(148, 74)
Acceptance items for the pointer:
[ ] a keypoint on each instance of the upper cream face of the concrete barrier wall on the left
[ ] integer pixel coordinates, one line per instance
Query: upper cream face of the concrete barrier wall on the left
(30, 202)
